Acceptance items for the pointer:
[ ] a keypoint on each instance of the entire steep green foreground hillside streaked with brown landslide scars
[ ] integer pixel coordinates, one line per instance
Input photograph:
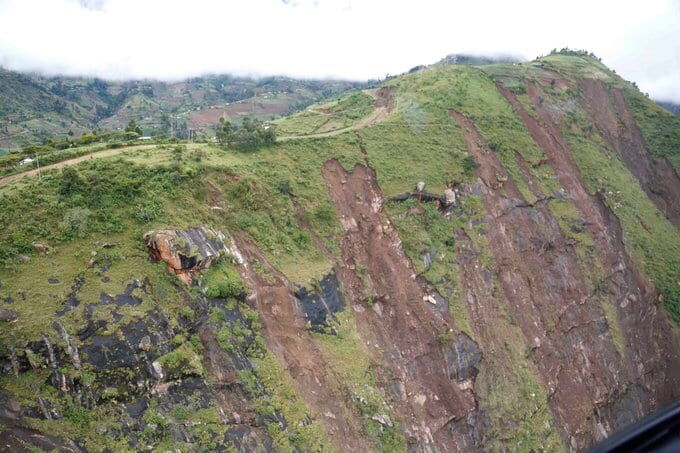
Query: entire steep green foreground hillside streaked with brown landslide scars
(307, 297)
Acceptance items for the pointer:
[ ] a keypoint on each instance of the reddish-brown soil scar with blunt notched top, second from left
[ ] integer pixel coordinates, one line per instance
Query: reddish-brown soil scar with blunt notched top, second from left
(402, 329)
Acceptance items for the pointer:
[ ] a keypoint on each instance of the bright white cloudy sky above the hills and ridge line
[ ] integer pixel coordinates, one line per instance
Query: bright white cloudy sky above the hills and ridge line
(171, 39)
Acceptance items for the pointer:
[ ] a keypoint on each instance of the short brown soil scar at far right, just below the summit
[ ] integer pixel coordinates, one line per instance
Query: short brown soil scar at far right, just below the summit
(609, 112)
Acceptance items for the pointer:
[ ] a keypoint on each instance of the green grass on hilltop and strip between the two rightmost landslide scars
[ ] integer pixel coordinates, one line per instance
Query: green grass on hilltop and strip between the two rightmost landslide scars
(650, 238)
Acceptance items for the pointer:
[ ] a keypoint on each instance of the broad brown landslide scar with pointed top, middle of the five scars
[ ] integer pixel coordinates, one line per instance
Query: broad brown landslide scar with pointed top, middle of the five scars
(546, 291)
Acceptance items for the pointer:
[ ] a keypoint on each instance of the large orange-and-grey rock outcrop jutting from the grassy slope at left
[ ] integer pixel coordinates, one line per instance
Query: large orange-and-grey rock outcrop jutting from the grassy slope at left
(187, 253)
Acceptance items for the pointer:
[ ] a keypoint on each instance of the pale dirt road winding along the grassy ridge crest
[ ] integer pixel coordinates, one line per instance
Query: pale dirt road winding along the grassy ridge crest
(383, 107)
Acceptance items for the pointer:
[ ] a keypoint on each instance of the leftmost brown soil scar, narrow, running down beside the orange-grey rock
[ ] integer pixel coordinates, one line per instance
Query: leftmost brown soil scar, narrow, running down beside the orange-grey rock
(287, 337)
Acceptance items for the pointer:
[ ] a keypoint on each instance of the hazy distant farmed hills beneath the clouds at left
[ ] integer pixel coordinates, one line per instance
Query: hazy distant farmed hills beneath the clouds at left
(35, 108)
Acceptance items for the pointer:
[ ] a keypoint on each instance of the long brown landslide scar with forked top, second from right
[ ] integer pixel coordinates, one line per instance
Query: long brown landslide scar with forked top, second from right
(648, 376)
